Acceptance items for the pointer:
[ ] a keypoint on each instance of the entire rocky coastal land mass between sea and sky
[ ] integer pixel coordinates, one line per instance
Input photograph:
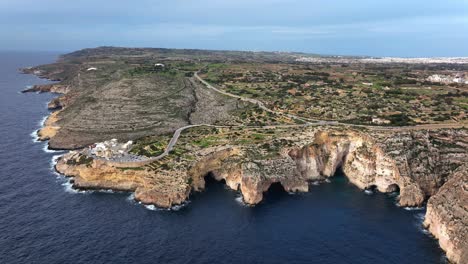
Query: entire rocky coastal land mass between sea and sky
(157, 122)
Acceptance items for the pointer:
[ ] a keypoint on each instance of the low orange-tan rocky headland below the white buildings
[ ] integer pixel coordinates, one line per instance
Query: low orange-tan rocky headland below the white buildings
(161, 189)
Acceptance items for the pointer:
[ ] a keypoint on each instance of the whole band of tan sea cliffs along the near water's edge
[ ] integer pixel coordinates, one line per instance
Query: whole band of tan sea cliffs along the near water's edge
(315, 156)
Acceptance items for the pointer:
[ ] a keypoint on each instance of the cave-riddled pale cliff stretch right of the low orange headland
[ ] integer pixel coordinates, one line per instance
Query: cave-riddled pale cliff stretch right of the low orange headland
(362, 161)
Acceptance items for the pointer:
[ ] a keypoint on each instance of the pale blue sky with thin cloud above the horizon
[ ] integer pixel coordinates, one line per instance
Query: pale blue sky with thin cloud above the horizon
(405, 28)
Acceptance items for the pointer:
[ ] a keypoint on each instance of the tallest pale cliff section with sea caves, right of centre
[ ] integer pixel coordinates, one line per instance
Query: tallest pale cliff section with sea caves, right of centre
(362, 161)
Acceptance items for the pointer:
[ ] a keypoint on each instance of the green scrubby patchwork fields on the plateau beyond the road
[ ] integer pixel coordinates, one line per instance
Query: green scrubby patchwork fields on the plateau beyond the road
(354, 93)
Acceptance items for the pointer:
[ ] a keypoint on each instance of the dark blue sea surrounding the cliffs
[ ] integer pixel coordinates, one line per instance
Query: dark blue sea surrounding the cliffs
(42, 220)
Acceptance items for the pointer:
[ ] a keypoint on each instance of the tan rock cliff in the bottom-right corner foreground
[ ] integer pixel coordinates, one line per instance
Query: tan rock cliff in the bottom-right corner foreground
(447, 216)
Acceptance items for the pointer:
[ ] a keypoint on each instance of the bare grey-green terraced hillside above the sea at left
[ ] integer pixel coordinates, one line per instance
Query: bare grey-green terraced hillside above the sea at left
(117, 101)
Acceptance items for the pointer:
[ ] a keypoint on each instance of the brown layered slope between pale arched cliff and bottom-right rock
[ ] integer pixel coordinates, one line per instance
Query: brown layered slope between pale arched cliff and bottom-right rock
(428, 157)
